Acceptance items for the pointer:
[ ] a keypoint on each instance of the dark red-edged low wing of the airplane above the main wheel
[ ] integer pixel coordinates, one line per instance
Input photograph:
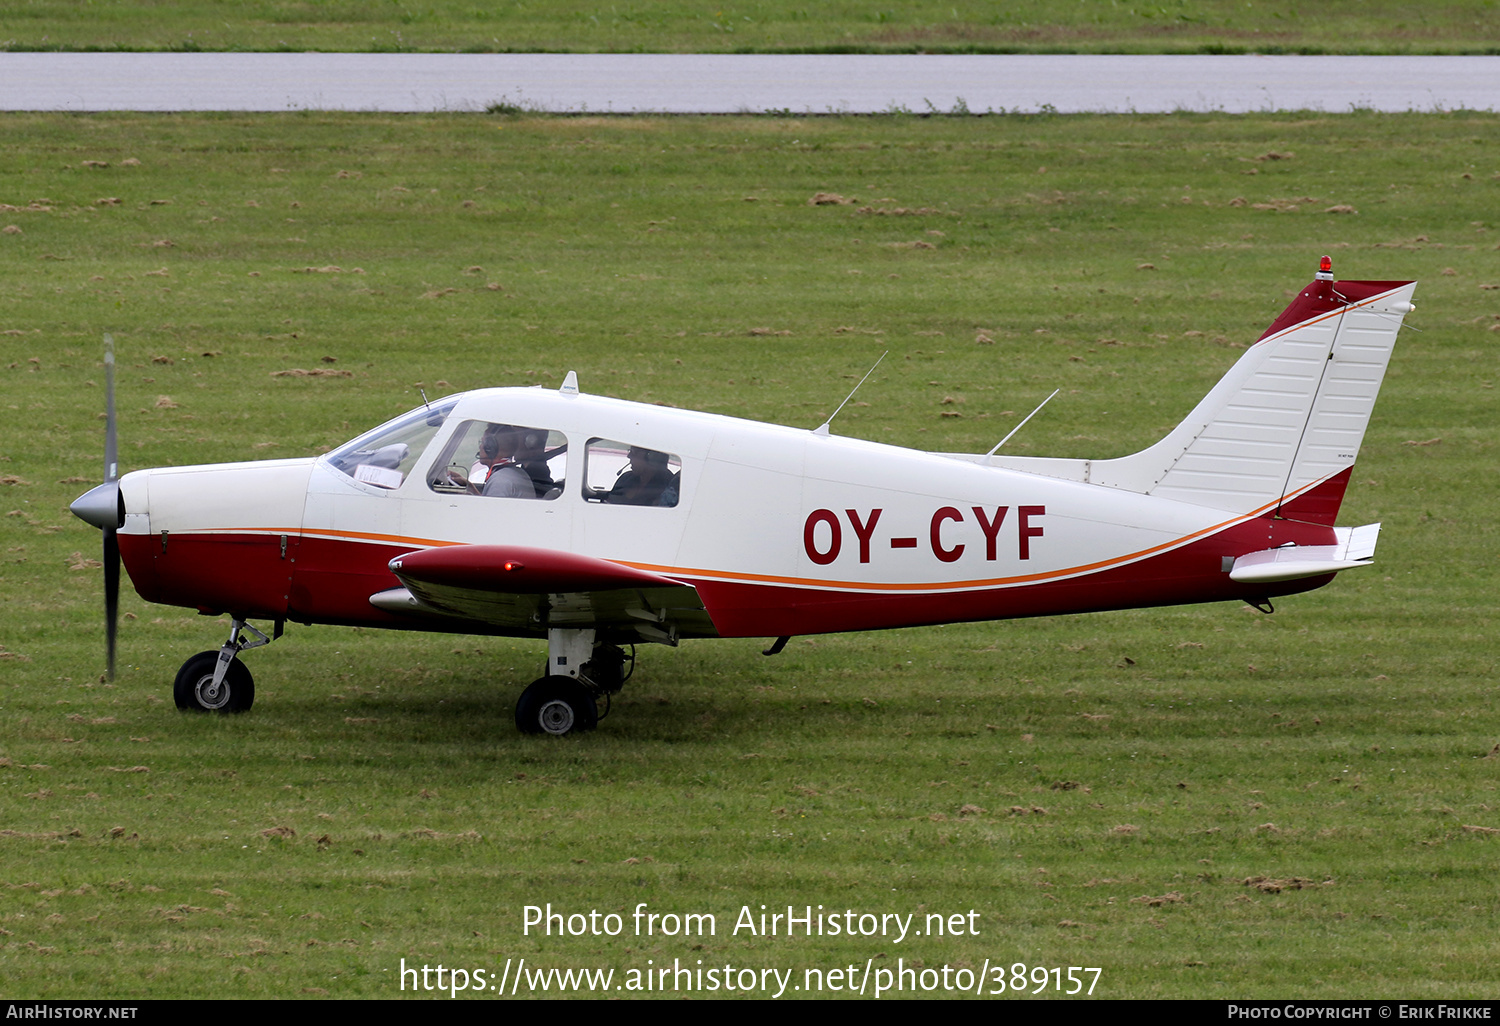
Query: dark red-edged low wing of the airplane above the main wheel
(517, 590)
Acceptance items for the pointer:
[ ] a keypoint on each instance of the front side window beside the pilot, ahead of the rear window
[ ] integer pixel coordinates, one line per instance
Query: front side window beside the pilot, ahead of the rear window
(502, 461)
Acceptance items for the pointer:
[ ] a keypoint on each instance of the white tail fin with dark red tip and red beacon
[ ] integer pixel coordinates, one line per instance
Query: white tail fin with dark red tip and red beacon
(1289, 416)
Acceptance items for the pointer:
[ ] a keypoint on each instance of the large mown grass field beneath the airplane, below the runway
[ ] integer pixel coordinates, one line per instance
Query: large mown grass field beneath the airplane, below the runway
(1201, 802)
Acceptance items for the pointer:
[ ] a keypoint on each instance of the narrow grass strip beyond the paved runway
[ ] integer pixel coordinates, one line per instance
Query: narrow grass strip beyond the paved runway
(665, 26)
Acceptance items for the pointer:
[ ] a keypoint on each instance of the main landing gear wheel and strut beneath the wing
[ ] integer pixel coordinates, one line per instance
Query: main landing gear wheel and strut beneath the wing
(580, 676)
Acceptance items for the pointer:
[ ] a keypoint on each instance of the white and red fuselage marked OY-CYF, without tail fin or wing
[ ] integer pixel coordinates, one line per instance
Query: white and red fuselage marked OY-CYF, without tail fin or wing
(781, 530)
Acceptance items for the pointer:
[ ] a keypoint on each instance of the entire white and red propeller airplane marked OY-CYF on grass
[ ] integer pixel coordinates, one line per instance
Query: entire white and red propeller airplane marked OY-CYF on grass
(601, 524)
